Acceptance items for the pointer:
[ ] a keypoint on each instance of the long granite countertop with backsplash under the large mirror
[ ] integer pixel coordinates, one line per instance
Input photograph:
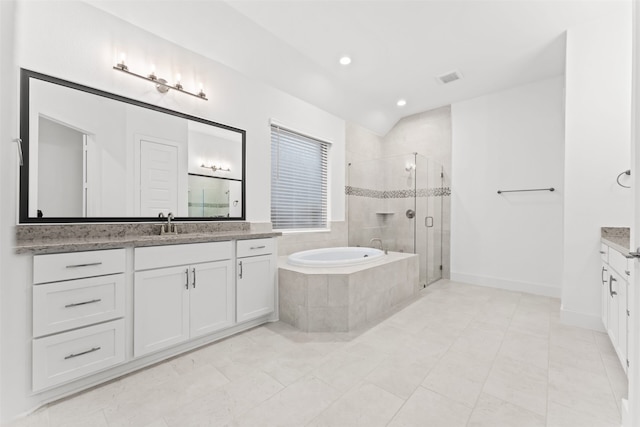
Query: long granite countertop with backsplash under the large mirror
(86, 237)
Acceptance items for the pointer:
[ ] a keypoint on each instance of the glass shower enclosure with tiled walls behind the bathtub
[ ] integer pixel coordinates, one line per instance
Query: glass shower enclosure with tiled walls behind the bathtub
(399, 200)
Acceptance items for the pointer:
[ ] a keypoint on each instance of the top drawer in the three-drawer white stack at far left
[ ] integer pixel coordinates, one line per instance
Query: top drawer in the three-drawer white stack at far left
(75, 265)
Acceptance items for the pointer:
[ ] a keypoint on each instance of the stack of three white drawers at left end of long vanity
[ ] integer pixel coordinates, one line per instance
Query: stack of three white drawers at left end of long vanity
(78, 310)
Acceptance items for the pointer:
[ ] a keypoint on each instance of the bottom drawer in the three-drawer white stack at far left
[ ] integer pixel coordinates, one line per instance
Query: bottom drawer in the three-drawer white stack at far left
(70, 355)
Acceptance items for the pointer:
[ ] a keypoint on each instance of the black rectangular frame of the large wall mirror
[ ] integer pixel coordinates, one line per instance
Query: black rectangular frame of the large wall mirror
(25, 77)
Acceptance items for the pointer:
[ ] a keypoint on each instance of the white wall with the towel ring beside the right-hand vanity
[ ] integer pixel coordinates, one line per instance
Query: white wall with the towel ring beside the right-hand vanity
(597, 149)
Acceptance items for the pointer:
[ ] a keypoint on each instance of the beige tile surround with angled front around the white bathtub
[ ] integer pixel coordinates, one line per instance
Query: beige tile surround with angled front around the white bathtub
(342, 299)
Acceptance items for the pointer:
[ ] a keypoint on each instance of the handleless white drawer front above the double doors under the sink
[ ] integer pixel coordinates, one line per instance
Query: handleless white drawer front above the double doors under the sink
(172, 255)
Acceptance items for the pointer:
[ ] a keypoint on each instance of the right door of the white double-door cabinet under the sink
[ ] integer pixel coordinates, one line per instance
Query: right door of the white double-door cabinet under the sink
(211, 297)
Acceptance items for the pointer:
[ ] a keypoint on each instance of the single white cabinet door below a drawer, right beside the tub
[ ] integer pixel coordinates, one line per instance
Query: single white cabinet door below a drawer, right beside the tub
(255, 287)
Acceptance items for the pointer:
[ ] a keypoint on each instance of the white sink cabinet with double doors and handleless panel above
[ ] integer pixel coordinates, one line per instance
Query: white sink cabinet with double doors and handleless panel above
(181, 292)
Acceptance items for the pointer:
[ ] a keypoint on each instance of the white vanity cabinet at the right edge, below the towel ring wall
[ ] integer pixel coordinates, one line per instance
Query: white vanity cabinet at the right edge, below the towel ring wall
(616, 272)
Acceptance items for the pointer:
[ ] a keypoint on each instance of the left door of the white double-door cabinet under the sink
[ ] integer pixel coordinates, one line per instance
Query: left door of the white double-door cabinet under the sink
(161, 309)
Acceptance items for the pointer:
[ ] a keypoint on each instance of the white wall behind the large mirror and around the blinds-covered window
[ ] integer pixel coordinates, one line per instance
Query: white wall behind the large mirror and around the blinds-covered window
(77, 42)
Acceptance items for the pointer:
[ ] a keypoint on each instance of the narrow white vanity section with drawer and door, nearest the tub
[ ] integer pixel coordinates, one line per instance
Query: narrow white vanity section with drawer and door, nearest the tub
(255, 278)
